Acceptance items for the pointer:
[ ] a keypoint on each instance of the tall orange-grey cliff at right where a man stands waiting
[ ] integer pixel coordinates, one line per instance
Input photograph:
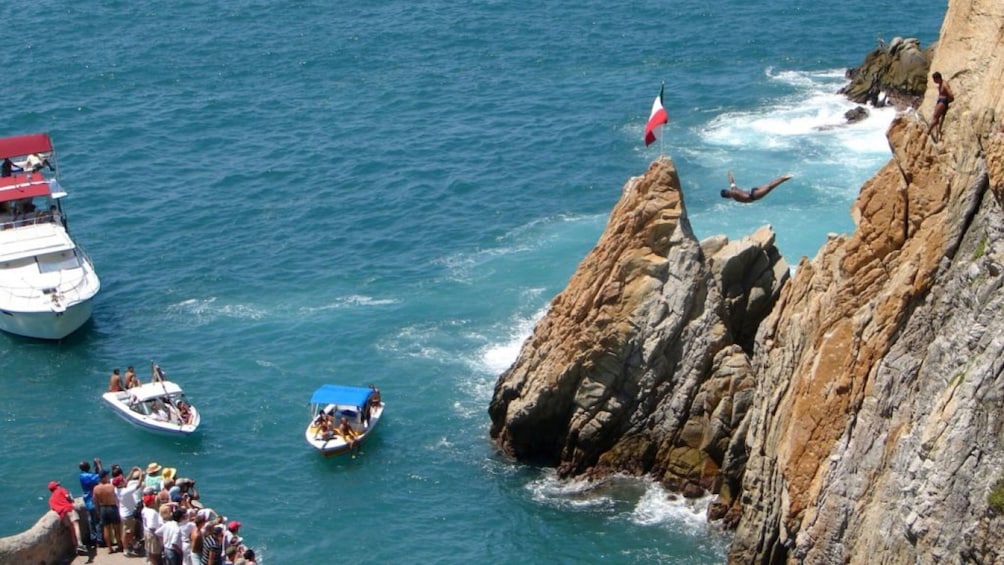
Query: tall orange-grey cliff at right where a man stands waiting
(877, 430)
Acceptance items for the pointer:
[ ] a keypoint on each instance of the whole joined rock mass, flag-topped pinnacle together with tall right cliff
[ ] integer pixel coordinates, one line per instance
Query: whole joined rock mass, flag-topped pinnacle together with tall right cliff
(862, 421)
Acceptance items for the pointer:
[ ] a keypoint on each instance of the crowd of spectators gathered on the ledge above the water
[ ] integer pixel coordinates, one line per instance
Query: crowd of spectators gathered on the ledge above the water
(149, 513)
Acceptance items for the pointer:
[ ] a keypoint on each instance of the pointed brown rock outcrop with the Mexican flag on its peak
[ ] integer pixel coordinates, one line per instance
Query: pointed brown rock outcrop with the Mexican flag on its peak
(642, 363)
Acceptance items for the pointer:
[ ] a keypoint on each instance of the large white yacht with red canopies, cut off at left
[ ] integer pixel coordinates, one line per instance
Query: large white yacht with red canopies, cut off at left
(47, 280)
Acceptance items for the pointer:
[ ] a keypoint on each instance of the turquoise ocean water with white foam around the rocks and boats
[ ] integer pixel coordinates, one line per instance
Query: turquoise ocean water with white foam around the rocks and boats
(280, 195)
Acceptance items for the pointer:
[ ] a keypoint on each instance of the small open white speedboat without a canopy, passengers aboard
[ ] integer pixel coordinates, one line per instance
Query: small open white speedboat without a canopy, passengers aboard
(158, 407)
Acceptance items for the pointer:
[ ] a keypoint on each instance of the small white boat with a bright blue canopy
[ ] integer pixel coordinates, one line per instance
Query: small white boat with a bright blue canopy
(360, 408)
